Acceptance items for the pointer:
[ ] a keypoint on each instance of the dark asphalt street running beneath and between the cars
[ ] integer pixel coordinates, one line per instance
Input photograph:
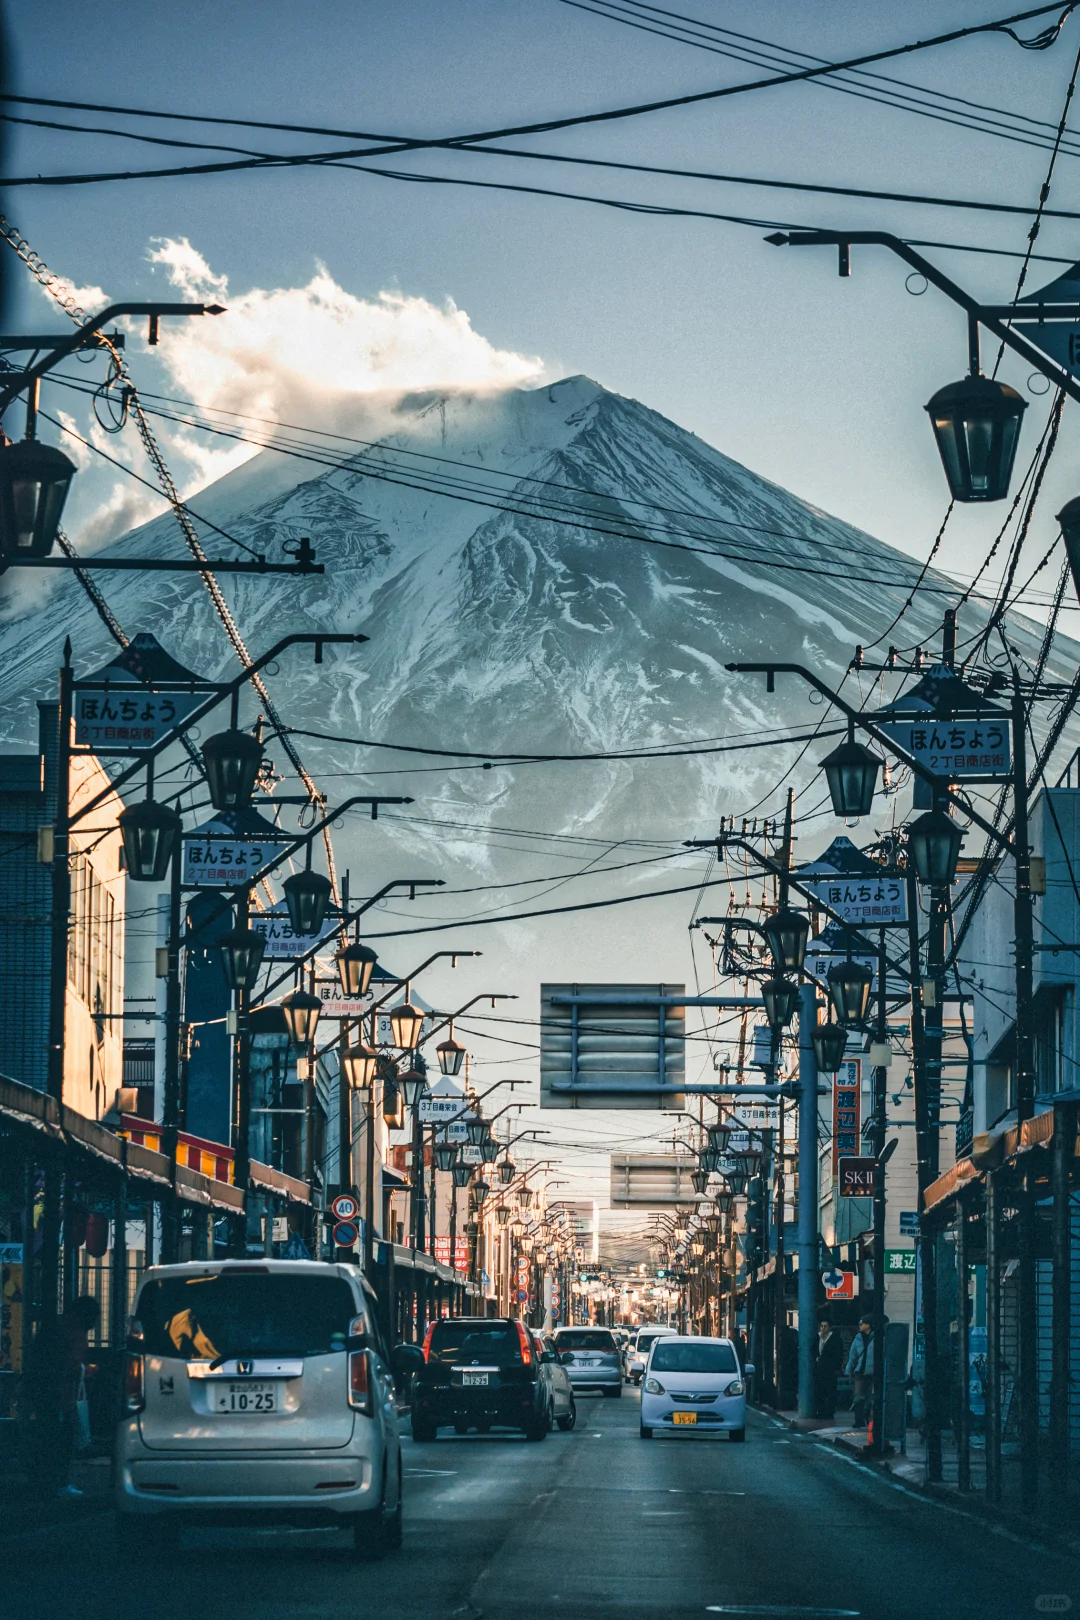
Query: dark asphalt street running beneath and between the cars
(593, 1525)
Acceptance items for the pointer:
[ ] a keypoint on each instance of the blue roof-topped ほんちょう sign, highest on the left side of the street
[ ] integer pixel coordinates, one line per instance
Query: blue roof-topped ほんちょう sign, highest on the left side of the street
(135, 701)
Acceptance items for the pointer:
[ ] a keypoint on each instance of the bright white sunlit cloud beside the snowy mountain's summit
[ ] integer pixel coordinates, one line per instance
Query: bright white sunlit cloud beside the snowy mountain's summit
(315, 354)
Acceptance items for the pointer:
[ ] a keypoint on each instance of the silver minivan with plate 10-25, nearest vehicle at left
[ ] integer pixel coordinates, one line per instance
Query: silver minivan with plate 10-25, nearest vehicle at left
(258, 1392)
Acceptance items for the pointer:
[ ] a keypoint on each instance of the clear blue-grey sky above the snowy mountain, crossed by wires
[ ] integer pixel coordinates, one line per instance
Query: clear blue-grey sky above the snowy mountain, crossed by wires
(767, 354)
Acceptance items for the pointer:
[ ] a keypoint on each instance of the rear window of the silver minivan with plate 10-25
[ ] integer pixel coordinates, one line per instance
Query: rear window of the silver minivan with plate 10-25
(244, 1315)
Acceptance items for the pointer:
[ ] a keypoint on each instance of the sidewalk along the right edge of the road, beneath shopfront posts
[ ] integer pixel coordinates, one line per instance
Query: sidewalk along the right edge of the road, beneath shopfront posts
(1055, 1525)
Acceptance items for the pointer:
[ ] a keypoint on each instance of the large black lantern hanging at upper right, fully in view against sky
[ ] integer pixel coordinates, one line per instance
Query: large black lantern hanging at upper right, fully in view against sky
(977, 427)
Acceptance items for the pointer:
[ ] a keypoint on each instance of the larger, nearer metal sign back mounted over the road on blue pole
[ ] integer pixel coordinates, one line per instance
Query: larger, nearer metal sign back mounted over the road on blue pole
(613, 1046)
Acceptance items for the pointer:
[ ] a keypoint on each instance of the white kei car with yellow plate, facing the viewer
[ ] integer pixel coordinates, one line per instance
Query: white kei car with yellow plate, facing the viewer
(694, 1384)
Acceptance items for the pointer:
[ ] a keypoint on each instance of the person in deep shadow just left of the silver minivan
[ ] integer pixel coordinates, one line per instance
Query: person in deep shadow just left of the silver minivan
(53, 1389)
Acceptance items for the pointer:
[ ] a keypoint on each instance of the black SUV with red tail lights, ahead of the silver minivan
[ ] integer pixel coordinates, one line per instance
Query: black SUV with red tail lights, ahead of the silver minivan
(478, 1373)
